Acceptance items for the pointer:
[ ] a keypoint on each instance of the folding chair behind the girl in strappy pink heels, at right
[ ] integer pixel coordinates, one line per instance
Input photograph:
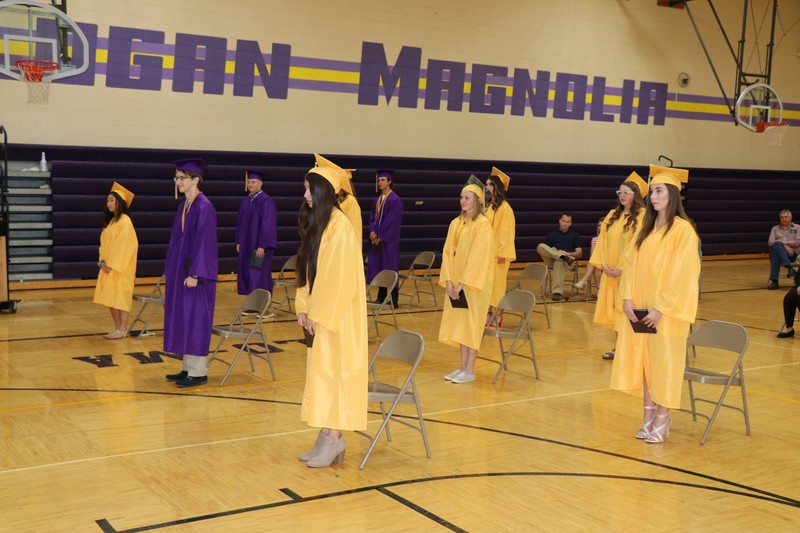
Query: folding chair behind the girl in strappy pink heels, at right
(727, 337)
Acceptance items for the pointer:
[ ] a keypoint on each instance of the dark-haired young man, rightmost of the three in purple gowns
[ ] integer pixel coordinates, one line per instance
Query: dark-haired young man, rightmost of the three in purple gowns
(385, 221)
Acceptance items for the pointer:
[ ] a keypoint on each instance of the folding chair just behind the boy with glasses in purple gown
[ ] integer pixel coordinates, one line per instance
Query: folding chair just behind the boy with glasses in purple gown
(255, 305)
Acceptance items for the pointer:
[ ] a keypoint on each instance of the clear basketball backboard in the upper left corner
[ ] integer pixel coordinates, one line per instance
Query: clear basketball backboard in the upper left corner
(34, 30)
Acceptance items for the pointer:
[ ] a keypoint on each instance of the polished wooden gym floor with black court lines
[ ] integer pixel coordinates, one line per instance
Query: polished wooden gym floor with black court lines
(92, 438)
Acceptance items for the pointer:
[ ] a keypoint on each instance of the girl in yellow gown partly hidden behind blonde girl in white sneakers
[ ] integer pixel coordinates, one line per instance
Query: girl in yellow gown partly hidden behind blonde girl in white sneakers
(504, 225)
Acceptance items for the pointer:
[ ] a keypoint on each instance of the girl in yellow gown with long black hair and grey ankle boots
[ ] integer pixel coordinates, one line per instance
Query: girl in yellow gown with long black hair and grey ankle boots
(331, 305)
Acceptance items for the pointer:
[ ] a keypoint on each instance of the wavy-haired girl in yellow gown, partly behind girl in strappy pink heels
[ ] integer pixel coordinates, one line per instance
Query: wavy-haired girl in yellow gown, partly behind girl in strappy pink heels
(617, 230)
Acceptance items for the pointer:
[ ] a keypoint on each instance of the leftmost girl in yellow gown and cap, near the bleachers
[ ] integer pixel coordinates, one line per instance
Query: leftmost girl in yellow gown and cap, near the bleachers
(117, 261)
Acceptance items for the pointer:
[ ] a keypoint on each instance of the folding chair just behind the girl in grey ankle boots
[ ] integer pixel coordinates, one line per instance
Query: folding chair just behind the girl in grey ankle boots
(404, 347)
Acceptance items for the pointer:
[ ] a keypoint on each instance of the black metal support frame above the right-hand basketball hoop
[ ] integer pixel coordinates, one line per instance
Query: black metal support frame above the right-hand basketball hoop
(743, 78)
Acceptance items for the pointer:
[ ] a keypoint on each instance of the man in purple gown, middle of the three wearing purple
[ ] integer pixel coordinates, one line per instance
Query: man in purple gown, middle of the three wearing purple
(256, 235)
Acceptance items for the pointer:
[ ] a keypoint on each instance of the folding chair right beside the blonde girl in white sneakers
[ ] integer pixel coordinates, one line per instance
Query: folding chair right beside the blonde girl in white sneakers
(517, 308)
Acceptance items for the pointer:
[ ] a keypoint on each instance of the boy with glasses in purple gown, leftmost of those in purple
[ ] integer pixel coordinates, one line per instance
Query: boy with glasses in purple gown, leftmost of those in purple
(191, 271)
